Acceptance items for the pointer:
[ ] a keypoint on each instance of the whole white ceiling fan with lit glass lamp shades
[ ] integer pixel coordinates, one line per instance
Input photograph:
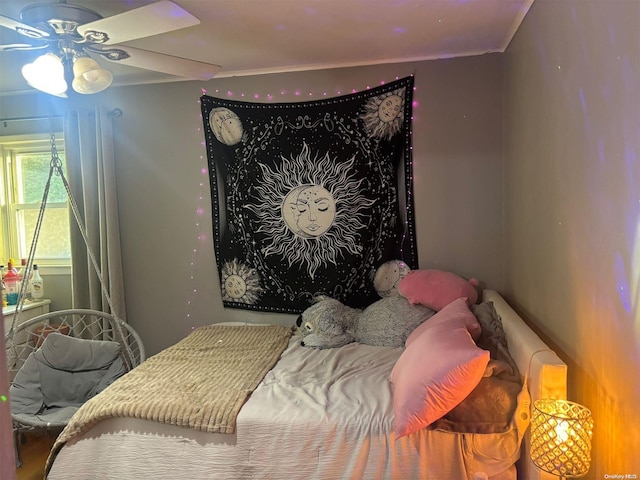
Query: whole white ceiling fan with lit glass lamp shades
(70, 35)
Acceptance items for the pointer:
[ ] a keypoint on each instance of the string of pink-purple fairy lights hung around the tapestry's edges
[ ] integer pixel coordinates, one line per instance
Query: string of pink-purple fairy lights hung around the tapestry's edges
(202, 190)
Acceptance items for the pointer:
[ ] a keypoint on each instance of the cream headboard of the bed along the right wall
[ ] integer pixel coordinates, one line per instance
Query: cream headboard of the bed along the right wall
(546, 373)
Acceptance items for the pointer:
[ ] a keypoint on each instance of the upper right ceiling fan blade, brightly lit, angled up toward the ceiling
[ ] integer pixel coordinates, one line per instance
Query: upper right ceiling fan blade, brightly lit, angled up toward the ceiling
(153, 19)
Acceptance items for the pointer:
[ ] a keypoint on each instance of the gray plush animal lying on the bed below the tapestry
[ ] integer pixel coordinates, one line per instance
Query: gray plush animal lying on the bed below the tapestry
(387, 322)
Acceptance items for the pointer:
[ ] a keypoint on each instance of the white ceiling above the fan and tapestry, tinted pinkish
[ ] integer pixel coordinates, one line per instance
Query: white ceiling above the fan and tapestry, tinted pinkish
(249, 37)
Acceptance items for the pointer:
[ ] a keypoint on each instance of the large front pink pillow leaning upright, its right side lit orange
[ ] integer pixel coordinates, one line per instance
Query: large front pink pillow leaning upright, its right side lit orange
(437, 370)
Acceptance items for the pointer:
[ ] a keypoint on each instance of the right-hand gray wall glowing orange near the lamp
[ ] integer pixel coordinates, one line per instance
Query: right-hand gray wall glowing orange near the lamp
(572, 205)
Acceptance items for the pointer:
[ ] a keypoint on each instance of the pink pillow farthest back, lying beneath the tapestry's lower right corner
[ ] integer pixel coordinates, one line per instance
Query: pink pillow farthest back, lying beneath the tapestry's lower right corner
(436, 289)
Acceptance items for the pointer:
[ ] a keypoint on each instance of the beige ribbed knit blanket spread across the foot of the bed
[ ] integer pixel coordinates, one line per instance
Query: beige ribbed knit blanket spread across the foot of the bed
(200, 382)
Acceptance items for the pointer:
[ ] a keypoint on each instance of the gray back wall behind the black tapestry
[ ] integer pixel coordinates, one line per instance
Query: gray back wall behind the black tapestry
(171, 278)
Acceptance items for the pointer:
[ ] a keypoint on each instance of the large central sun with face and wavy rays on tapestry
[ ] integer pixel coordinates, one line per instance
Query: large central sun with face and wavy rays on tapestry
(309, 212)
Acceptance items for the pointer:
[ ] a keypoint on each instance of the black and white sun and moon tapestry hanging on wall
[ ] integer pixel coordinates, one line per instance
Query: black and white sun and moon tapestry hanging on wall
(310, 198)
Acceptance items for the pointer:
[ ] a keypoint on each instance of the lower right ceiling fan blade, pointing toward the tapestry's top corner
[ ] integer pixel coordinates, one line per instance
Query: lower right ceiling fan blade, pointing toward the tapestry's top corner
(159, 62)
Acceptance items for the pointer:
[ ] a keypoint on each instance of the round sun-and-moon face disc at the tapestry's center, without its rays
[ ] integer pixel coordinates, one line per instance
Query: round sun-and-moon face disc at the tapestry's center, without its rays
(309, 210)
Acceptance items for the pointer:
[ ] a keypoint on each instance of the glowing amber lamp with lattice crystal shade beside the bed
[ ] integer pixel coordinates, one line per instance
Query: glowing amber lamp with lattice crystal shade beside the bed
(561, 434)
